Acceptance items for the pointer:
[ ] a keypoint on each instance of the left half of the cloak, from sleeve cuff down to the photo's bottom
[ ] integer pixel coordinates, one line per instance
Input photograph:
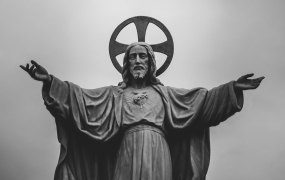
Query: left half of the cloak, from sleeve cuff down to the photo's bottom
(86, 126)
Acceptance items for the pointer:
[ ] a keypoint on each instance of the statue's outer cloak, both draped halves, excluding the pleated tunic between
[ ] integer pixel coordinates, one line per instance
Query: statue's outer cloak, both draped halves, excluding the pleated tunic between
(89, 127)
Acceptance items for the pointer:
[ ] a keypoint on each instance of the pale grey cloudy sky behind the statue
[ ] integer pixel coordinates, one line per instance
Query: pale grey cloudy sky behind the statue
(215, 42)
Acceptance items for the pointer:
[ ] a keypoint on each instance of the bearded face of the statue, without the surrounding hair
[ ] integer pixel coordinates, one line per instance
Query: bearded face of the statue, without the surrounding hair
(138, 61)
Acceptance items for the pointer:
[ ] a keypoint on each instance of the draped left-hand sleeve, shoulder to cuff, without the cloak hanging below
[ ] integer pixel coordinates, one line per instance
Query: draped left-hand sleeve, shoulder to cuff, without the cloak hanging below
(90, 110)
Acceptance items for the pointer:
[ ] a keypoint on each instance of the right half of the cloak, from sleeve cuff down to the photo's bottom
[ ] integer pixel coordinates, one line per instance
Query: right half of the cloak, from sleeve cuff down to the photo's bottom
(188, 116)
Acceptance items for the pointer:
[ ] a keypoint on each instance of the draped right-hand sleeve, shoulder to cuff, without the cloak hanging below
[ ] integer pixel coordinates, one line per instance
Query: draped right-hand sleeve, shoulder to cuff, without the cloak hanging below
(199, 107)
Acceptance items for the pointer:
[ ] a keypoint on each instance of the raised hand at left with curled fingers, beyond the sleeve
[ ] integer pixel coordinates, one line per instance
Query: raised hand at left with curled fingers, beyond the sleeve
(37, 72)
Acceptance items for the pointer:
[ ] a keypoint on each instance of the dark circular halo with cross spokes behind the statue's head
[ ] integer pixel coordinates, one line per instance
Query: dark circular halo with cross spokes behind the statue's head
(141, 23)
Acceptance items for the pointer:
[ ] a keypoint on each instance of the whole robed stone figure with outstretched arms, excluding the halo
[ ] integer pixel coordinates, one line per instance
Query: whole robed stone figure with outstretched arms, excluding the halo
(140, 129)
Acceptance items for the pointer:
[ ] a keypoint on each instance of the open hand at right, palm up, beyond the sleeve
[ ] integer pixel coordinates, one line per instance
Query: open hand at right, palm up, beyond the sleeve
(243, 83)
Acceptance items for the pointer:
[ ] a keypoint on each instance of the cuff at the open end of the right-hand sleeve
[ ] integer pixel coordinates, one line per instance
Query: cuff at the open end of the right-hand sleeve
(236, 96)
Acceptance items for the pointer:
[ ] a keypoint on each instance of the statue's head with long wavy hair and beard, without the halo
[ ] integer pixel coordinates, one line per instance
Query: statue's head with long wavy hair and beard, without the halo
(147, 71)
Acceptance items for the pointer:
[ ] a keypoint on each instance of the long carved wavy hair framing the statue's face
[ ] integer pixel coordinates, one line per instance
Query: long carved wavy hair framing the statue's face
(151, 74)
